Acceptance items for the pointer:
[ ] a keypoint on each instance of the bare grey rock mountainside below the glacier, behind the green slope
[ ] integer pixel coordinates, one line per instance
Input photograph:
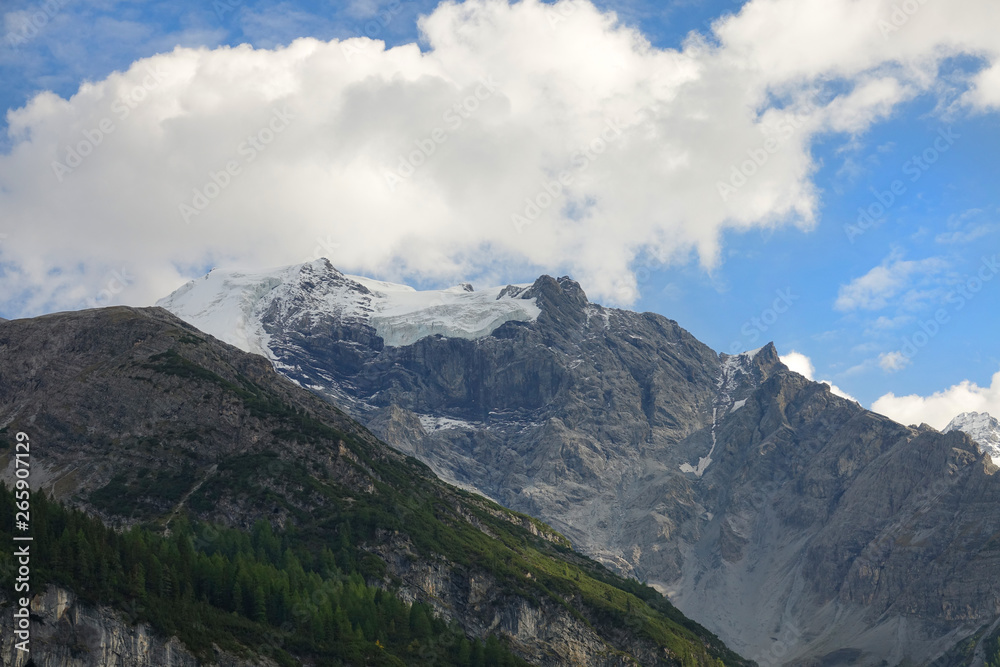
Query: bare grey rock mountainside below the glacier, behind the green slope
(794, 523)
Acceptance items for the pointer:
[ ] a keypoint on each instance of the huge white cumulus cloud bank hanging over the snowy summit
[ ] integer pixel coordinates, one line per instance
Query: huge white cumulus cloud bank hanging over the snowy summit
(525, 136)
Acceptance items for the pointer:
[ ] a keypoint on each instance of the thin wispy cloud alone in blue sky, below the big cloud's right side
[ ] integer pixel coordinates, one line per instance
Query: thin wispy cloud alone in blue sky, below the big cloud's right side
(893, 277)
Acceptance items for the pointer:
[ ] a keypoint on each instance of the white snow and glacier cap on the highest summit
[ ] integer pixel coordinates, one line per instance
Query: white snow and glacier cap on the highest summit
(230, 305)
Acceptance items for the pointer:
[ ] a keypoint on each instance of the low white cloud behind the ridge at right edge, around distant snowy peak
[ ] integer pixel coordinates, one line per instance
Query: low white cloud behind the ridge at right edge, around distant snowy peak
(943, 406)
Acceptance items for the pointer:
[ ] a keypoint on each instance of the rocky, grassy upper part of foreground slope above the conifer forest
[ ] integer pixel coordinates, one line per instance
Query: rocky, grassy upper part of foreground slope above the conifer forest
(138, 418)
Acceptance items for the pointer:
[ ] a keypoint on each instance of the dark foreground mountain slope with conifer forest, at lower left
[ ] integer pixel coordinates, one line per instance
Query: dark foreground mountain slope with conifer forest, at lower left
(193, 507)
